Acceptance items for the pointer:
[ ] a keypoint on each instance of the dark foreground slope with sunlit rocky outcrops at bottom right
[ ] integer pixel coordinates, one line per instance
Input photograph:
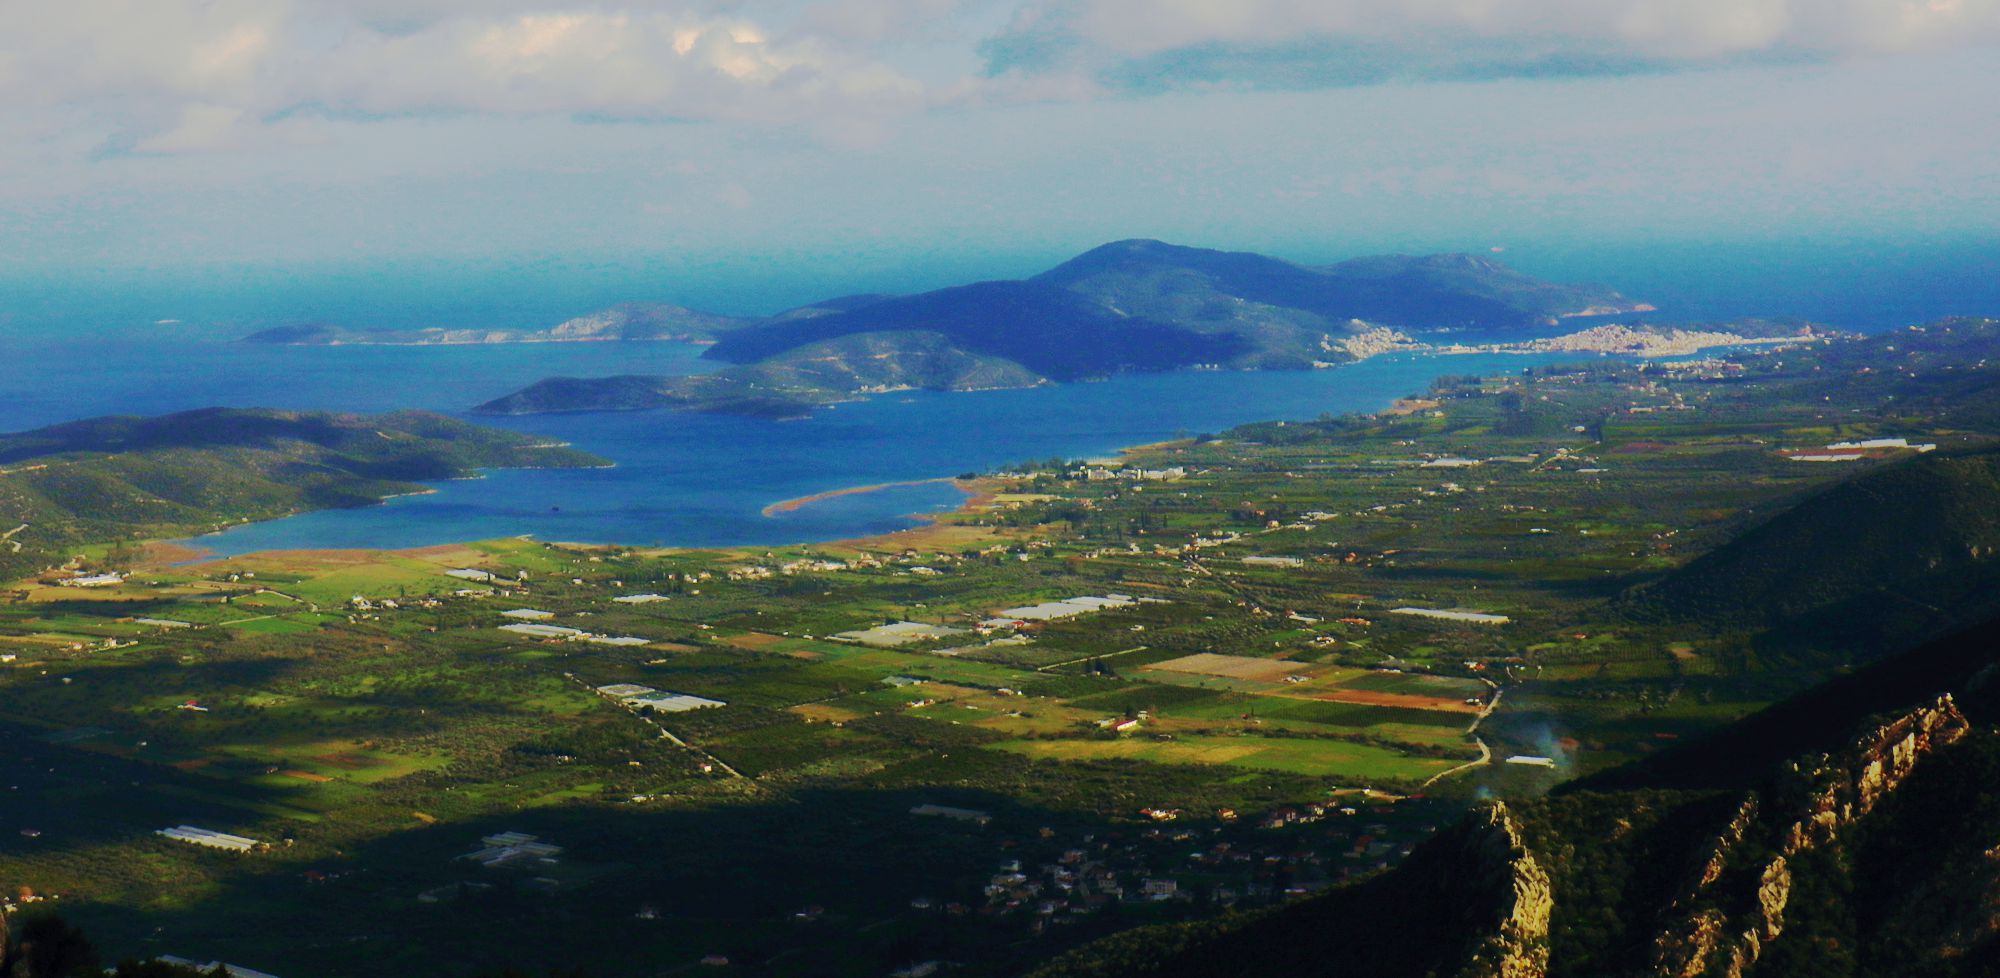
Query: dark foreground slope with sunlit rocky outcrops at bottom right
(1875, 859)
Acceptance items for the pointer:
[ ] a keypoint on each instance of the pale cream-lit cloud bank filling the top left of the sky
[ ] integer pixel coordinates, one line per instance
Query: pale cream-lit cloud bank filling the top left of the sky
(183, 75)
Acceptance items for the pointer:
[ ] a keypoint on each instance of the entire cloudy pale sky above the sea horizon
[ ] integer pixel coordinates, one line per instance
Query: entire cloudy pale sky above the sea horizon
(879, 139)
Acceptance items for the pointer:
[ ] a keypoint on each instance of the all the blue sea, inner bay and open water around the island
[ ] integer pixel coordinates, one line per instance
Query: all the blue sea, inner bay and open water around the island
(703, 481)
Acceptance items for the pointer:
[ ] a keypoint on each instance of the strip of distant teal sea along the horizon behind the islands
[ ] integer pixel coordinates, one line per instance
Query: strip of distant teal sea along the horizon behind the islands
(1847, 283)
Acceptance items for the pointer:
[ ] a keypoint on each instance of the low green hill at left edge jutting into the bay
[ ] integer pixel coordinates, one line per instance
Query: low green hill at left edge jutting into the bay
(121, 479)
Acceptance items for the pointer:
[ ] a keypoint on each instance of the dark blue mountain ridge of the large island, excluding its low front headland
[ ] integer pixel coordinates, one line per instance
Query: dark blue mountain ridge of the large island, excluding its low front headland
(1143, 305)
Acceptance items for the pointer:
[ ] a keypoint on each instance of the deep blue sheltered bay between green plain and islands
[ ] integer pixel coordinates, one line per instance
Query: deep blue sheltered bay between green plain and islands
(681, 479)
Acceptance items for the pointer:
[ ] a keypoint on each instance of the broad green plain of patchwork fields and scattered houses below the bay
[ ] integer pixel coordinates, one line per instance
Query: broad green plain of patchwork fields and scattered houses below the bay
(1093, 659)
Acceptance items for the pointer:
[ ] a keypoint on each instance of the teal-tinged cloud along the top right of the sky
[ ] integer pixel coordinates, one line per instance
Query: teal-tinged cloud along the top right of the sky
(1161, 45)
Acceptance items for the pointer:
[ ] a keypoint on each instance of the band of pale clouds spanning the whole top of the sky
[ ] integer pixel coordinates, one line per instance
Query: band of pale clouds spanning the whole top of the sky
(181, 77)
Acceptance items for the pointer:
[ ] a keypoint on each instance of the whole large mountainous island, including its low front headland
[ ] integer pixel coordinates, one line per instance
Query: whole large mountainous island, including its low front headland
(1125, 307)
